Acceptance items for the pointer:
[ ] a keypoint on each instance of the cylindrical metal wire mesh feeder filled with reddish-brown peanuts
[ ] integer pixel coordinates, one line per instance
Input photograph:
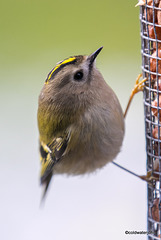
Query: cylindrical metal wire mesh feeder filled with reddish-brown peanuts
(150, 21)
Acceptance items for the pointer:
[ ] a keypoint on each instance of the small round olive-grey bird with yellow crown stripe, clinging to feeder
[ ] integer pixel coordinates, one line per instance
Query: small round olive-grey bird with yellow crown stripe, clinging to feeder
(80, 119)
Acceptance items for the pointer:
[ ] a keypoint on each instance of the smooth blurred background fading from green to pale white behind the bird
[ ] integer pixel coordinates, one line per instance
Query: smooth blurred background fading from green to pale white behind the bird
(34, 36)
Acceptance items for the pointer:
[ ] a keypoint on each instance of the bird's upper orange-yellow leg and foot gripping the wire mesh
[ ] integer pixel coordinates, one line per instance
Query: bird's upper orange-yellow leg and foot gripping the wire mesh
(137, 88)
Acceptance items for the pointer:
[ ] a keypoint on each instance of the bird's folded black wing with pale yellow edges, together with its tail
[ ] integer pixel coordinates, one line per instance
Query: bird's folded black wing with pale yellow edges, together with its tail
(50, 154)
